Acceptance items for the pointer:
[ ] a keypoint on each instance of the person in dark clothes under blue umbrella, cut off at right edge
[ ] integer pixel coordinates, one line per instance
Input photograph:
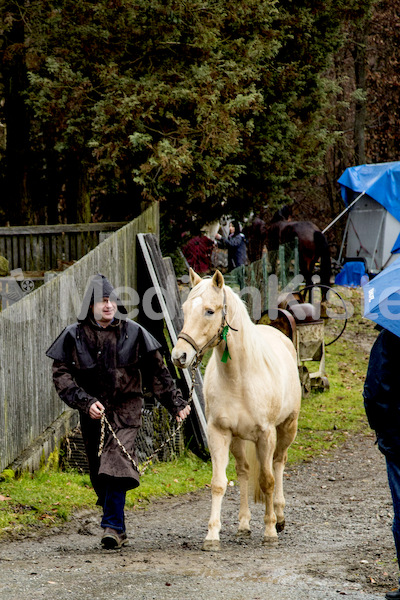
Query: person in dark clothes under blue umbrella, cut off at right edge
(382, 406)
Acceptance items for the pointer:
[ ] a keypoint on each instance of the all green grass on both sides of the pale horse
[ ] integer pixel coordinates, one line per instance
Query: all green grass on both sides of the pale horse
(50, 496)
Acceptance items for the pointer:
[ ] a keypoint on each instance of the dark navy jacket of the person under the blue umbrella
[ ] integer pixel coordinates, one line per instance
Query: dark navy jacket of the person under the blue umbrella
(382, 393)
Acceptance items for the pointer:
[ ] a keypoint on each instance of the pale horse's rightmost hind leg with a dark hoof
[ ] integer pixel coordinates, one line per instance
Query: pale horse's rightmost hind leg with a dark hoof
(286, 432)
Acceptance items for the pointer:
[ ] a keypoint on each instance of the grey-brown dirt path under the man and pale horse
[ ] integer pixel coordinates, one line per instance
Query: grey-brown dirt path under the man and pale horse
(337, 542)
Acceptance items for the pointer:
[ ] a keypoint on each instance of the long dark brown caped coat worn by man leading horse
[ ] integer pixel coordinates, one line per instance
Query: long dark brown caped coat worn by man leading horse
(112, 365)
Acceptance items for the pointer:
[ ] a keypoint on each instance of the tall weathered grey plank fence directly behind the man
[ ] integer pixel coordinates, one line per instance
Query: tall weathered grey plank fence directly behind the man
(29, 404)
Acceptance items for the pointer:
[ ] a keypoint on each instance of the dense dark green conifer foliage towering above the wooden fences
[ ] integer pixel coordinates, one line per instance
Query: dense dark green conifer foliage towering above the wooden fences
(191, 104)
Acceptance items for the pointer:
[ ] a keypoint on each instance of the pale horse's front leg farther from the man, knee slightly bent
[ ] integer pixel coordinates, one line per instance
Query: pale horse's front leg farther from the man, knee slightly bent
(265, 451)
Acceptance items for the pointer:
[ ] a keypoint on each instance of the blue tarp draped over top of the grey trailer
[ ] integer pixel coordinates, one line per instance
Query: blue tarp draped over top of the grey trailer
(381, 182)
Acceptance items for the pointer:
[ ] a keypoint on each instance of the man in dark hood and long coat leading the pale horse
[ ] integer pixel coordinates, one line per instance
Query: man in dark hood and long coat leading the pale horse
(100, 364)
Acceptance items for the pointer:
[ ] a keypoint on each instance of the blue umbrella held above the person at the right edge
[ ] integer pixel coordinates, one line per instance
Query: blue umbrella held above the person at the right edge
(382, 298)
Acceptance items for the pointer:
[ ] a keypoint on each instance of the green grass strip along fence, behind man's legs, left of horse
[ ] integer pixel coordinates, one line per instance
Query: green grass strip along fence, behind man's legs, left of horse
(49, 497)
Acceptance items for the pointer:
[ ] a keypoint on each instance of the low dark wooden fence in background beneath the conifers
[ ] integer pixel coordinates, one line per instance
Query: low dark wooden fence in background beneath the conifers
(39, 248)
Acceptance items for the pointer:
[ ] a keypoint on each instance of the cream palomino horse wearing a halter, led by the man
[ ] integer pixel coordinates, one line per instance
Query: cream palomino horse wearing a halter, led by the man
(252, 392)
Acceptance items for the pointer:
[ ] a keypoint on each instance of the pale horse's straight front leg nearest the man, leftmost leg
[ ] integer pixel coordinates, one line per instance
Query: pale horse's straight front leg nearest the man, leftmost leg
(218, 443)
